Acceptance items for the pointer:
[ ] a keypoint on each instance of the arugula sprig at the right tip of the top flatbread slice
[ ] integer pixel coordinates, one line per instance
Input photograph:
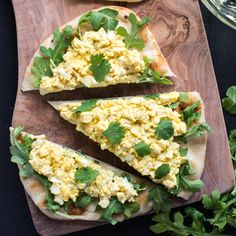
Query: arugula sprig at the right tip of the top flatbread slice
(148, 74)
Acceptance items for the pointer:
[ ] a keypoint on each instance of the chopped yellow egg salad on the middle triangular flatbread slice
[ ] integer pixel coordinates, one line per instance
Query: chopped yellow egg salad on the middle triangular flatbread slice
(134, 121)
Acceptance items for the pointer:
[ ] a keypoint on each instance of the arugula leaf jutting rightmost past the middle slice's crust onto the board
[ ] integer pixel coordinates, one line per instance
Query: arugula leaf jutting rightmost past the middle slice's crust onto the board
(195, 131)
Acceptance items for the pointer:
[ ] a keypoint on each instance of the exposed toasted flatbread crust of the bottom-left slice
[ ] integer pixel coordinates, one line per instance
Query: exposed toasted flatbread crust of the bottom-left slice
(37, 193)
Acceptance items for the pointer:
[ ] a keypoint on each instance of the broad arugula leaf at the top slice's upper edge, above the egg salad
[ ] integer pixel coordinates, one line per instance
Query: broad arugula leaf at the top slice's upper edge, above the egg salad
(105, 18)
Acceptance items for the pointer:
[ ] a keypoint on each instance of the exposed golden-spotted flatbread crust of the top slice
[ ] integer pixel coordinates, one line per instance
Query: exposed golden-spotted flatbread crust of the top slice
(151, 49)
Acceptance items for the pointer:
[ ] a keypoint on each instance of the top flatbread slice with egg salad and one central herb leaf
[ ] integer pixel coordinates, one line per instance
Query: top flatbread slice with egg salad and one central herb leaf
(107, 46)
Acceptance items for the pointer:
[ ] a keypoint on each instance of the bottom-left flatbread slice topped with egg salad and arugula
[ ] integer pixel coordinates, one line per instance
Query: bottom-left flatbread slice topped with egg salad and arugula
(69, 185)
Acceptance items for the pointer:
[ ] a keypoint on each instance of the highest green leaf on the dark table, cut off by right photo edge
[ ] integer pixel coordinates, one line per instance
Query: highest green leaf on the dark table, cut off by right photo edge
(229, 103)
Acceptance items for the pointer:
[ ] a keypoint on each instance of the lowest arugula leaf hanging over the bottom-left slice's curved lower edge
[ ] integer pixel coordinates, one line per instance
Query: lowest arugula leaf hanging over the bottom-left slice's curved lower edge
(114, 207)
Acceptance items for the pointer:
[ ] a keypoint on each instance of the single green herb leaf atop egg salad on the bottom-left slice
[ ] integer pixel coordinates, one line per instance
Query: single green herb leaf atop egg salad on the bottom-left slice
(86, 174)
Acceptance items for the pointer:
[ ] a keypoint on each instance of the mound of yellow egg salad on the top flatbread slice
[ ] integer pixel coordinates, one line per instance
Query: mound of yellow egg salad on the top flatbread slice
(127, 65)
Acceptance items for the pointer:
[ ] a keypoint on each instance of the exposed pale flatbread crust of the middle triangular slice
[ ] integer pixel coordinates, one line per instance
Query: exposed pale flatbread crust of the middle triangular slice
(196, 146)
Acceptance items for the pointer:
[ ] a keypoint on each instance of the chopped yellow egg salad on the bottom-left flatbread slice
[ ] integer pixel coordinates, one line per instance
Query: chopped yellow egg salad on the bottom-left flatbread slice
(59, 165)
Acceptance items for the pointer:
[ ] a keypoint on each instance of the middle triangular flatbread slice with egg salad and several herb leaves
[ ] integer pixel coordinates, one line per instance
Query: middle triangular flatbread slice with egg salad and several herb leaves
(162, 136)
